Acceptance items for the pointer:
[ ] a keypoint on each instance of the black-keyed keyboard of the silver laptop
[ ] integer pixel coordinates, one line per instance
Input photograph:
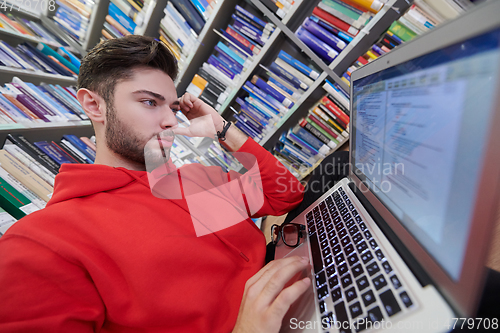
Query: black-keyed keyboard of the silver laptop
(355, 282)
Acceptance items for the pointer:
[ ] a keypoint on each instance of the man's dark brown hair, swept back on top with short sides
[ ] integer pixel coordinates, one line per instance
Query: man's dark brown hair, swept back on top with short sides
(113, 60)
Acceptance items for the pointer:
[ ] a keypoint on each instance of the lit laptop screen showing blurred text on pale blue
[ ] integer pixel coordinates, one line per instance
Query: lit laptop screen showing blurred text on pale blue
(419, 131)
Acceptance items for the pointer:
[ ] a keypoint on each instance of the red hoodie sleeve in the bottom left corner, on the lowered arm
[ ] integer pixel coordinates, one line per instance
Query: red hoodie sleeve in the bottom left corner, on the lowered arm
(46, 293)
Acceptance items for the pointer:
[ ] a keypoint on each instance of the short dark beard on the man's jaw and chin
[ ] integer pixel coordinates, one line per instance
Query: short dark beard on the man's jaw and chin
(124, 141)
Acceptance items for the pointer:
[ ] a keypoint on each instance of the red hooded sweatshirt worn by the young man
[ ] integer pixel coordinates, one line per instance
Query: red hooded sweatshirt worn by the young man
(106, 255)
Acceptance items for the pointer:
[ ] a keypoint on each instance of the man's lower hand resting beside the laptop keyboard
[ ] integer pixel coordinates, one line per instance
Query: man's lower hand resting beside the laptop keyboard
(266, 301)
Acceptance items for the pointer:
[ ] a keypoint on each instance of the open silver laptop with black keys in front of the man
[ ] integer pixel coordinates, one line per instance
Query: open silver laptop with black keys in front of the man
(401, 244)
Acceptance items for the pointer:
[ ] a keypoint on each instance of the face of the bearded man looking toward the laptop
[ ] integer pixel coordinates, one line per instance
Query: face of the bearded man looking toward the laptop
(141, 111)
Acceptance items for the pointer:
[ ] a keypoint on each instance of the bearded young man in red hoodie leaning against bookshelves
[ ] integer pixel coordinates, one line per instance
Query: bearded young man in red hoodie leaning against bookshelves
(106, 255)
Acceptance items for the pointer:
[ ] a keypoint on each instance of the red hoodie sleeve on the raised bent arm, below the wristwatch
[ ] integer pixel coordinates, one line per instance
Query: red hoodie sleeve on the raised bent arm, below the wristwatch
(268, 187)
